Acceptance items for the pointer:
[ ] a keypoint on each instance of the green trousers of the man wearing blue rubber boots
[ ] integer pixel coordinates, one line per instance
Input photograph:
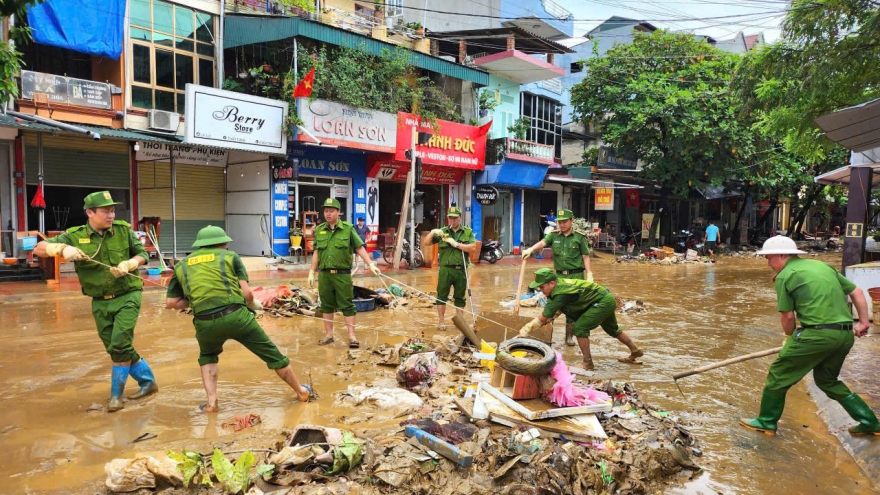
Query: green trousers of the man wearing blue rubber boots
(116, 319)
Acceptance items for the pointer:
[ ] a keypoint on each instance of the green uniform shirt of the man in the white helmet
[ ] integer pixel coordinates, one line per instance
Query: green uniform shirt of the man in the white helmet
(814, 290)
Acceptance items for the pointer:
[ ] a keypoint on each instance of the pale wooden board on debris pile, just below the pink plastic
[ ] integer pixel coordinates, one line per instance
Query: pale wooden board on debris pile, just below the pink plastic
(582, 428)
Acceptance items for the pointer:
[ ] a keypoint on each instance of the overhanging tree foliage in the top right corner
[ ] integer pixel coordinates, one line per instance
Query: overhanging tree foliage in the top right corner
(826, 61)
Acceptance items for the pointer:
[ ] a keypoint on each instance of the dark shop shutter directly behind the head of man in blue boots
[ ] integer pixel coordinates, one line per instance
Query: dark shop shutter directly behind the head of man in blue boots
(79, 162)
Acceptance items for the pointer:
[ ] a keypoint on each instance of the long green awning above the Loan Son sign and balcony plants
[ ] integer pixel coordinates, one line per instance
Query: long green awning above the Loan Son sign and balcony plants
(247, 30)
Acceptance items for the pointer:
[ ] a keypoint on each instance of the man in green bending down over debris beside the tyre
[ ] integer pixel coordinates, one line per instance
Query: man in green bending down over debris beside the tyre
(587, 303)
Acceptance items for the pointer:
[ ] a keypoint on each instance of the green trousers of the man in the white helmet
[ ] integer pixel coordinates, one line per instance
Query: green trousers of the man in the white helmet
(820, 350)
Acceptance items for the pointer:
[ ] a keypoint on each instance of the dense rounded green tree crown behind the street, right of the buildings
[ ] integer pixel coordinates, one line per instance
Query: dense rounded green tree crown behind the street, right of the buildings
(665, 98)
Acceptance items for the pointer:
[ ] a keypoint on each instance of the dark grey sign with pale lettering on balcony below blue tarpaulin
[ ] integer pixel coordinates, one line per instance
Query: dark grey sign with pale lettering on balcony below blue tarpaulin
(60, 89)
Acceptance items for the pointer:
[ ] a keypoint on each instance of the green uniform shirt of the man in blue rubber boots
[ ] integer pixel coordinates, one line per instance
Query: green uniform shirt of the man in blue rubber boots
(117, 244)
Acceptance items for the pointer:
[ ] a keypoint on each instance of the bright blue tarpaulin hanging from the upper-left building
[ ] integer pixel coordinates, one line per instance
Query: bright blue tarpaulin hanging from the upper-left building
(88, 26)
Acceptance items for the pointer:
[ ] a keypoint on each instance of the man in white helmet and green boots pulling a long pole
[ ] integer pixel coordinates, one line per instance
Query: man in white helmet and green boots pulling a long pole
(816, 293)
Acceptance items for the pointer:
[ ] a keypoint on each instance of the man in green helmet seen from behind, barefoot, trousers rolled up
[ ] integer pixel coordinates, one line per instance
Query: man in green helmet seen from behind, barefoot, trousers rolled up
(213, 281)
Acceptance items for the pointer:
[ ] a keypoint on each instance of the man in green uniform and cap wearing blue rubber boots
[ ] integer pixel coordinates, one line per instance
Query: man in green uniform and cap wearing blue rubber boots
(116, 295)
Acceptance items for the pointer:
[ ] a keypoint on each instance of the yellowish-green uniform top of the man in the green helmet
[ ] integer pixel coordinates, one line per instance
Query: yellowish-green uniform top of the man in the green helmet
(208, 278)
